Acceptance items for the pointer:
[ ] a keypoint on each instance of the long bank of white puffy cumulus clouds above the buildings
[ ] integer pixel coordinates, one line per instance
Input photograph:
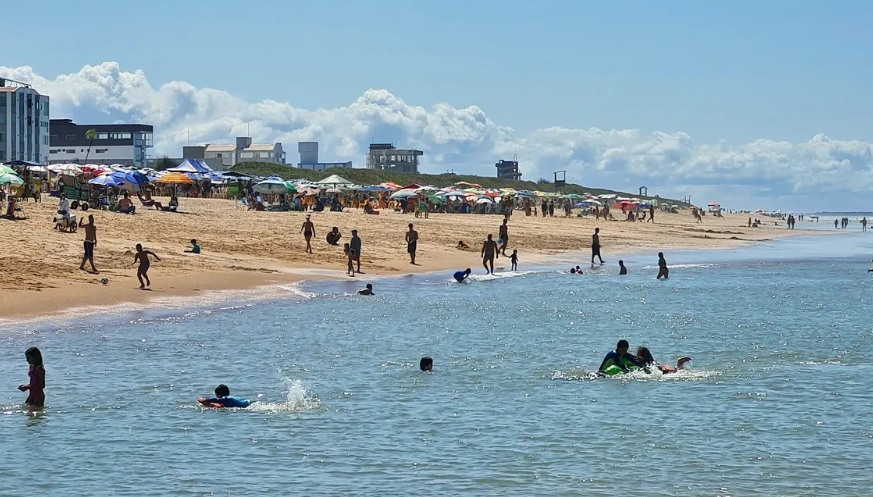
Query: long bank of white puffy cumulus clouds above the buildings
(821, 173)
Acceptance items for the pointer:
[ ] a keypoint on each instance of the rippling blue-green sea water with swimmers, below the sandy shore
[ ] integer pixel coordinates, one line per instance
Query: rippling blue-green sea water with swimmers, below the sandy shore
(778, 401)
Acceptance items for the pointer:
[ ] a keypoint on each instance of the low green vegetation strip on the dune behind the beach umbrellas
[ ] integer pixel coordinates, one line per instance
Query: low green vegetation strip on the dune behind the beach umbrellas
(375, 177)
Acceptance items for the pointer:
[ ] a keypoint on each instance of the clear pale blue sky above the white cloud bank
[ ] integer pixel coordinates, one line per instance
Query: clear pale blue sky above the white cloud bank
(724, 73)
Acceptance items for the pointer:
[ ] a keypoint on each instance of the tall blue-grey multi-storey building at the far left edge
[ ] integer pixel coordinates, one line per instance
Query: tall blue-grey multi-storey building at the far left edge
(24, 123)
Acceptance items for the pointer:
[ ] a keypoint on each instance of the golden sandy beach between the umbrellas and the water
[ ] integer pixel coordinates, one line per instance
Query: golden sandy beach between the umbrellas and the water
(40, 276)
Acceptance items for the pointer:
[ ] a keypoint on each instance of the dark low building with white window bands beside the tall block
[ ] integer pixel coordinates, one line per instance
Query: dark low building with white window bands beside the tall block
(125, 144)
